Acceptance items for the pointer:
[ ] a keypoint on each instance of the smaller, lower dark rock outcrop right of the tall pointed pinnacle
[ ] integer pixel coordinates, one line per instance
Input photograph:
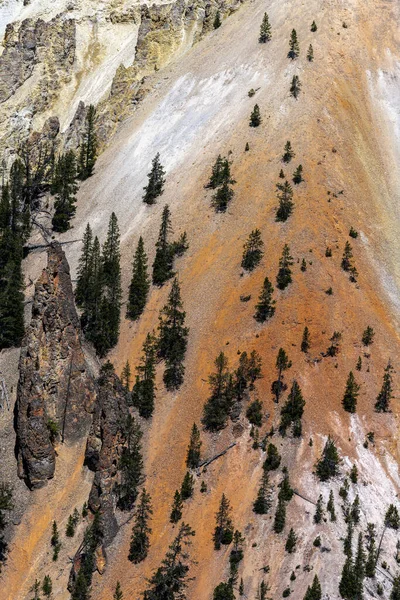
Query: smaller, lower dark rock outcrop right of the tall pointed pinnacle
(104, 447)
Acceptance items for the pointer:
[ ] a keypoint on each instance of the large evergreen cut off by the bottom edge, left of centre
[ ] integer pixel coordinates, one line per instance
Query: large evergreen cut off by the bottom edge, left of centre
(169, 580)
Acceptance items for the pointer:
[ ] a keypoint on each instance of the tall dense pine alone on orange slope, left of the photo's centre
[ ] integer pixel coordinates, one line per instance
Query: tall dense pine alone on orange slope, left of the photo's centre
(173, 336)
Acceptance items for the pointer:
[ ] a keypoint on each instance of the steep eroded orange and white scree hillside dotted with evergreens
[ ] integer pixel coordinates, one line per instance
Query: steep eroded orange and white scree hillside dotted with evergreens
(344, 130)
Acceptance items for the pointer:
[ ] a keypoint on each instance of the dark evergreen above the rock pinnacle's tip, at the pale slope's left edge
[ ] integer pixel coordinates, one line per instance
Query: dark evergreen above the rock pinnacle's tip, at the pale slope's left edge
(64, 187)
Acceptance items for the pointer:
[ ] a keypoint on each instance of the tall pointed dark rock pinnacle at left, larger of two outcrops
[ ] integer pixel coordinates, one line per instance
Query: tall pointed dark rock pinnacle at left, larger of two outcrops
(56, 389)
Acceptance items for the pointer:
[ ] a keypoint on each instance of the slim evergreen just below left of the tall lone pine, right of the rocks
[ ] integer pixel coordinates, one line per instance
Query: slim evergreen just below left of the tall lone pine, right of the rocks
(144, 390)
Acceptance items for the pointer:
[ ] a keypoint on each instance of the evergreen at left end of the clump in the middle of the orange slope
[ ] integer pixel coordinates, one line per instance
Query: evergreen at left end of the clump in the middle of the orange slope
(218, 407)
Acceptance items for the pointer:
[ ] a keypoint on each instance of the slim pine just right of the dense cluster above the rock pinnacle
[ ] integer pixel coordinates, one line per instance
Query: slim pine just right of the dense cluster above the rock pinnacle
(140, 284)
